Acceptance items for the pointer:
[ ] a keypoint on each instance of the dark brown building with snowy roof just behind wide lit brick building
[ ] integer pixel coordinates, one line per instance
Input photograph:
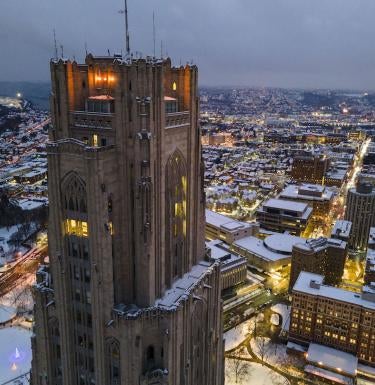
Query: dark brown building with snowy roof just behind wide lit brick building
(320, 256)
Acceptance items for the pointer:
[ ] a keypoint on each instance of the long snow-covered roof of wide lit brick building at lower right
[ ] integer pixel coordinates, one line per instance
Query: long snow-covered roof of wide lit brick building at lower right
(303, 285)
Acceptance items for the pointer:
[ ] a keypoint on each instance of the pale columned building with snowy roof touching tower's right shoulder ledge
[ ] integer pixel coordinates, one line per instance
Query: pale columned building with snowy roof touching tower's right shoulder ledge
(233, 268)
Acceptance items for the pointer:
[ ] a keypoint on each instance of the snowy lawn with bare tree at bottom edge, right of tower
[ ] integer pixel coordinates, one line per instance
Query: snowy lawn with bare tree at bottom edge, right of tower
(255, 374)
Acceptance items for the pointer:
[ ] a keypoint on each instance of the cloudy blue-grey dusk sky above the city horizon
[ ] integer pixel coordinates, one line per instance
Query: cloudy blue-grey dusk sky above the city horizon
(286, 43)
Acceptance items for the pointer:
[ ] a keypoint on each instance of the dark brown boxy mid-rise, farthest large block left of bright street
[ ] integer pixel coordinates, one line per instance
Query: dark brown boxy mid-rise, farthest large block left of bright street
(309, 168)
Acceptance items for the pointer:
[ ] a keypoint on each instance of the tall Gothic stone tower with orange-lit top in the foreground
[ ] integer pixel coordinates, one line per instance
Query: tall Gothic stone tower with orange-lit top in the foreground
(129, 296)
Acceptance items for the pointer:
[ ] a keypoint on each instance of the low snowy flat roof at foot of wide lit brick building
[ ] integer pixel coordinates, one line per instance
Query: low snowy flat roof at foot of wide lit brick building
(332, 358)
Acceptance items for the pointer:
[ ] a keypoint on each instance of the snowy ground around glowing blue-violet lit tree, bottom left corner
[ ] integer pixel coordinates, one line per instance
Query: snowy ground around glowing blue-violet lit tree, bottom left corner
(14, 362)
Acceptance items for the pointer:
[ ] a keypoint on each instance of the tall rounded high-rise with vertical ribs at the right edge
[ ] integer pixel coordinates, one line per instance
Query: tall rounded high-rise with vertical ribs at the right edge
(360, 210)
